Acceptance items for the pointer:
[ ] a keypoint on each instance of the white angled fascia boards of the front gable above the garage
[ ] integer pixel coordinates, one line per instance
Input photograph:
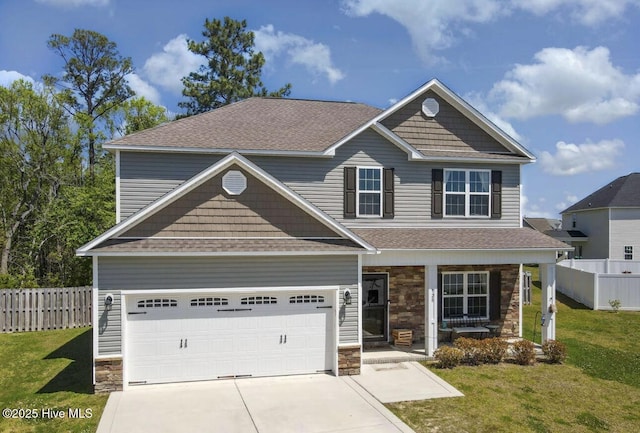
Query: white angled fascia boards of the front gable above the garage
(205, 175)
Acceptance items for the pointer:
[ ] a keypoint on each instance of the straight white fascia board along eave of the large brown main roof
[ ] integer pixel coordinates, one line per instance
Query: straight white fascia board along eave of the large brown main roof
(200, 150)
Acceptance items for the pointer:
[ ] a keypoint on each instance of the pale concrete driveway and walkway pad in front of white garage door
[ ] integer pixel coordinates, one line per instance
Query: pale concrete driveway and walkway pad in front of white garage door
(309, 403)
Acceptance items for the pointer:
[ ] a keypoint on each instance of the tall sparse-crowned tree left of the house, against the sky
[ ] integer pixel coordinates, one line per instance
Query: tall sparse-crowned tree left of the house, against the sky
(95, 81)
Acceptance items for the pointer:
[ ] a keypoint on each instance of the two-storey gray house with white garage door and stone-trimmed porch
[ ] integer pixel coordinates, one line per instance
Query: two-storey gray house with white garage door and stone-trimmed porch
(283, 236)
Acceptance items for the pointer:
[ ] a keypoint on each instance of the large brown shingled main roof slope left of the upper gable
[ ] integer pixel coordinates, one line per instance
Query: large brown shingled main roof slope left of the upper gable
(270, 124)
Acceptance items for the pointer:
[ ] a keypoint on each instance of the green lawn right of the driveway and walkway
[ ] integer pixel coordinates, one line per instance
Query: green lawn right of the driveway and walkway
(596, 390)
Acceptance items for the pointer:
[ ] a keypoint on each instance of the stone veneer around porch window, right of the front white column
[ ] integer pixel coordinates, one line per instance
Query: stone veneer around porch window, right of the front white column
(510, 294)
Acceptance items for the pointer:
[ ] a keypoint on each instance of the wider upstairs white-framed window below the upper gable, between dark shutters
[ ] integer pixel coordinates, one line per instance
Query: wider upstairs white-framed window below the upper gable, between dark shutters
(467, 193)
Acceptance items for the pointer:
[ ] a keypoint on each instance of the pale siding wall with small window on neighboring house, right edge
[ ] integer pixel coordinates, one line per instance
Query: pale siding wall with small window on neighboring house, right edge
(625, 231)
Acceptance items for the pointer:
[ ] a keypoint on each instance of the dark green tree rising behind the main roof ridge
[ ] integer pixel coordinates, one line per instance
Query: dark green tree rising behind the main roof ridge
(233, 69)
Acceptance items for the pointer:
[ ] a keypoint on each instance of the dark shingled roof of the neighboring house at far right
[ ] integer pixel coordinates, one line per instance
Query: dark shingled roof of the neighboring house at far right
(622, 192)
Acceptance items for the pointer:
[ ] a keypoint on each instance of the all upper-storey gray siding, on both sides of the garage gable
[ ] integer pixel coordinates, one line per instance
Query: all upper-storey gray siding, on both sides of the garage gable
(144, 177)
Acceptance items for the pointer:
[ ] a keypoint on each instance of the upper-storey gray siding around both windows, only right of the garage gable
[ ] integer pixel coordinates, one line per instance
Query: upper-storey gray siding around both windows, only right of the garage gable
(321, 182)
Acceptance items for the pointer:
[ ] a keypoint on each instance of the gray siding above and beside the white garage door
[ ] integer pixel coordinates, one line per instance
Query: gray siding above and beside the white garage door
(153, 273)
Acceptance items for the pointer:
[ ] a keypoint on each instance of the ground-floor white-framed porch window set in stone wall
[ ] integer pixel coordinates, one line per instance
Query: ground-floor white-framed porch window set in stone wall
(465, 294)
